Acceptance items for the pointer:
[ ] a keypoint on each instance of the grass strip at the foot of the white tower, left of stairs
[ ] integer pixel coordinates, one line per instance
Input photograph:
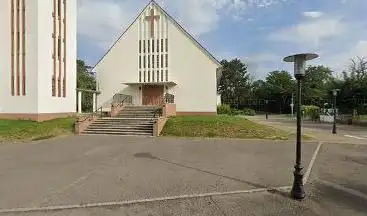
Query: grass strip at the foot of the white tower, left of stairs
(16, 130)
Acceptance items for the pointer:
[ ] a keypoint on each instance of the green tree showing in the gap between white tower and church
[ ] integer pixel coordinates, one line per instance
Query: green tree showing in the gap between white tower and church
(85, 80)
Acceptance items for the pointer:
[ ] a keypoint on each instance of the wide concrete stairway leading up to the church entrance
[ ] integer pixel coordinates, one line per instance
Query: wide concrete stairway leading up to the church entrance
(132, 120)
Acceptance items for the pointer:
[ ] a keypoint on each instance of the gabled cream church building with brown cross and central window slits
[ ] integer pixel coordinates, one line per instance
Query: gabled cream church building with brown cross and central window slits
(156, 56)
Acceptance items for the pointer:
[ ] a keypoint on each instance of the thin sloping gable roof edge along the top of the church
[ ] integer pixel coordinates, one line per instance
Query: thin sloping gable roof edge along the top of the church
(174, 22)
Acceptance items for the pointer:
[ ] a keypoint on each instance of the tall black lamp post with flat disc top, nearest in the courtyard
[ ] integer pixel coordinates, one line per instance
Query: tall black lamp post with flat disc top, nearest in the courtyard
(299, 60)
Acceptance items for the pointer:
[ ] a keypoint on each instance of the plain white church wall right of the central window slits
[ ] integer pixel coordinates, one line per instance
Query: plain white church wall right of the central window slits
(194, 72)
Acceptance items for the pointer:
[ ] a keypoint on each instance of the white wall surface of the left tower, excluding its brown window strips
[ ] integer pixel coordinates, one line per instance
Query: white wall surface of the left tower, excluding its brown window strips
(39, 46)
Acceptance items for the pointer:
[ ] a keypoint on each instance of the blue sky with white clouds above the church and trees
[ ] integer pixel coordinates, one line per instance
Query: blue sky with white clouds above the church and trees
(259, 32)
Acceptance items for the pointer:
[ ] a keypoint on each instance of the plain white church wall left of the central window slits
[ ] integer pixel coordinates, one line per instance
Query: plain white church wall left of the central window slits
(119, 65)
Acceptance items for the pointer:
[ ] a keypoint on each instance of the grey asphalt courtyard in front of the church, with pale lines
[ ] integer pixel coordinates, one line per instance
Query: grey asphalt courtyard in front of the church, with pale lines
(102, 175)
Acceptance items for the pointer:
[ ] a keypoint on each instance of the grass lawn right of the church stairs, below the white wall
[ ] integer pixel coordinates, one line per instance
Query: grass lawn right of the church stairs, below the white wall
(220, 126)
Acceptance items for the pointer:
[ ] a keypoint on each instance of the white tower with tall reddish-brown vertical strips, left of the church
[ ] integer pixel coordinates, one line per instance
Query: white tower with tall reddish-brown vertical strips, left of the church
(37, 59)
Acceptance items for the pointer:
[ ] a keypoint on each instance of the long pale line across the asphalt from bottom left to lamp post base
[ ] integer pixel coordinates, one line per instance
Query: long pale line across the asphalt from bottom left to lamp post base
(130, 202)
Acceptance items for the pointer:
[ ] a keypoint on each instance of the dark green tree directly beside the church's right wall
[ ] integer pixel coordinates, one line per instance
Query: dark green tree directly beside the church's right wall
(234, 83)
